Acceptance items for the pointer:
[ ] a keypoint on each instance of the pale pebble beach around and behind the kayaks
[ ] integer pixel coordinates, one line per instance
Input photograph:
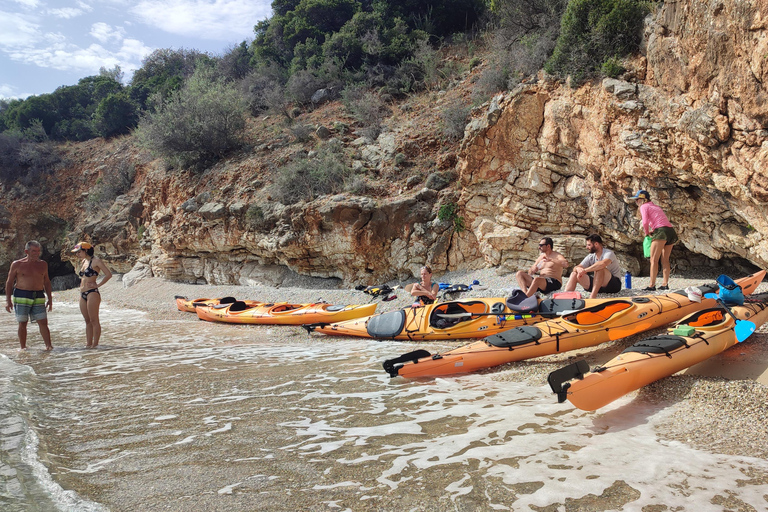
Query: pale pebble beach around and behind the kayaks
(719, 405)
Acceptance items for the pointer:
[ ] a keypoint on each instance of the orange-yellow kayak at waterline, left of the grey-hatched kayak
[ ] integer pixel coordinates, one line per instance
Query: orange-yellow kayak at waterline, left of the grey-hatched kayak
(282, 313)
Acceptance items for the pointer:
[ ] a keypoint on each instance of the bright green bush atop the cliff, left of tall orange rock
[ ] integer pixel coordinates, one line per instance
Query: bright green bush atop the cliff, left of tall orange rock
(591, 31)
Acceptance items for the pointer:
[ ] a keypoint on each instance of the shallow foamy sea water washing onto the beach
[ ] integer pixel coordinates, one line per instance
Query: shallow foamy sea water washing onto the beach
(190, 415)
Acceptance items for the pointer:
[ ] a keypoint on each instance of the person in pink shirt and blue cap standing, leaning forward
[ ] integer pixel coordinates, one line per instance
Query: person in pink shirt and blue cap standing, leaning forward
(656, 224)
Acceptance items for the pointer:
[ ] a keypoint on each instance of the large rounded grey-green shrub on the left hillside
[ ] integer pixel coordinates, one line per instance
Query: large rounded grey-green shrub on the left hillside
(198, 124)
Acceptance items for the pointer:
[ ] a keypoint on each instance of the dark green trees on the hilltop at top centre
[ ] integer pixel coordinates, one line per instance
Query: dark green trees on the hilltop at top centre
(304, 33)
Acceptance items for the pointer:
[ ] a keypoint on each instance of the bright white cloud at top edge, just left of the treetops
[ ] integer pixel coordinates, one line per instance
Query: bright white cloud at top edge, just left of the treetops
(222, 20)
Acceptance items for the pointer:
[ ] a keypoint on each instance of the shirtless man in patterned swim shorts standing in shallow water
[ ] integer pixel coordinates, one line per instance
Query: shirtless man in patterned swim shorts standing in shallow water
(25, 292)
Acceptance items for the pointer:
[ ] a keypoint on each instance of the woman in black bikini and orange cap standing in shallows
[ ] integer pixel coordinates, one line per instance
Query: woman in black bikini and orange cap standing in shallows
(90, 299)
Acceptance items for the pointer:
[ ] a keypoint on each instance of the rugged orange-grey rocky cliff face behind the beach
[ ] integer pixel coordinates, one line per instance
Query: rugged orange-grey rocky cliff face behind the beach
(686, 122)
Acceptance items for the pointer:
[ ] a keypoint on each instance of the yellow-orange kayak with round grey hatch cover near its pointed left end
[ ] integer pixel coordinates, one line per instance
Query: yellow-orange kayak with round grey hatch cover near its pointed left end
(470, 318)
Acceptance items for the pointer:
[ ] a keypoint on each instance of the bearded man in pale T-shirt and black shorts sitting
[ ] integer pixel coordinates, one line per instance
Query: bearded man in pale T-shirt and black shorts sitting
(599, 272)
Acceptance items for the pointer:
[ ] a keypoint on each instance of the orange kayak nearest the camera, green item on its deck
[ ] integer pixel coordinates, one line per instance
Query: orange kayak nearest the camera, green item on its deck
(693, 339)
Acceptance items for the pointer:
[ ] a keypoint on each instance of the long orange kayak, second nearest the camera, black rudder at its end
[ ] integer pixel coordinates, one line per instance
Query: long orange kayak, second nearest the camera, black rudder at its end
(610, 320)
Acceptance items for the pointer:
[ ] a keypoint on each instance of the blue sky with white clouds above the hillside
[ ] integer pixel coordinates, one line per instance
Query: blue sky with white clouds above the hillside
(45, 44)
